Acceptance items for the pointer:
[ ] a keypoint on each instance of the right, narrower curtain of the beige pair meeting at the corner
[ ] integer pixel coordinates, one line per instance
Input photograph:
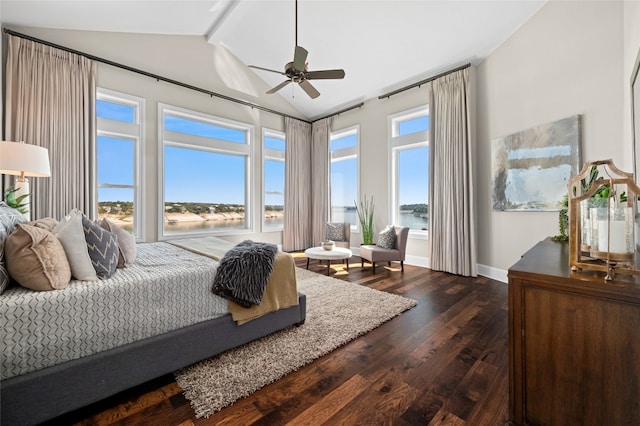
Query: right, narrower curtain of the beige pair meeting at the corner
(319, 180)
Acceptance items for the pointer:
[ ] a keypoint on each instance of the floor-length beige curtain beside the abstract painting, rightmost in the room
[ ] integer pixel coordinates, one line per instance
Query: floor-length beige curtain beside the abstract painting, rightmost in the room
(452, 228)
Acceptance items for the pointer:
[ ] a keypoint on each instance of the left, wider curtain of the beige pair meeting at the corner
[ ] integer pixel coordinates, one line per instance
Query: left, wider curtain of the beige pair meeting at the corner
(296, 234)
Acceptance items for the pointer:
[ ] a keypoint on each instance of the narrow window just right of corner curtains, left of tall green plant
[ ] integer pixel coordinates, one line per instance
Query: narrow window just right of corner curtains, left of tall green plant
(343, 146)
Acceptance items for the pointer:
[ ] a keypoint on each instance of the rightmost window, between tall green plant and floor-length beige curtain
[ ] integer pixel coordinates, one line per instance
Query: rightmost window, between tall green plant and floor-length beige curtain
(409, 144)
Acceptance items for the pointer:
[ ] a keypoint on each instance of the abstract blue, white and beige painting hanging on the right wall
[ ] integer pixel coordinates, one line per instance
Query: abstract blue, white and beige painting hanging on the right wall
(531, 169)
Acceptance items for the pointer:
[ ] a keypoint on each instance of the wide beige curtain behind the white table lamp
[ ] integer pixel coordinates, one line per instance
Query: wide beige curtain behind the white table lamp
(50, 102)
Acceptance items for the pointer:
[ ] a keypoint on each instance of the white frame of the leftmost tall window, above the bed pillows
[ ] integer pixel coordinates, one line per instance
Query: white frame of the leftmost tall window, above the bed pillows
(131, 131)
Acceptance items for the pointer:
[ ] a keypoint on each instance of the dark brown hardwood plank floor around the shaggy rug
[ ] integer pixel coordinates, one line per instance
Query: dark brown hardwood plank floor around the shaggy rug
(444, 362)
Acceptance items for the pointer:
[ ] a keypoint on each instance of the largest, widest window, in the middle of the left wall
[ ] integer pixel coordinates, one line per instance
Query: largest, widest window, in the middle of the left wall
(204, 170)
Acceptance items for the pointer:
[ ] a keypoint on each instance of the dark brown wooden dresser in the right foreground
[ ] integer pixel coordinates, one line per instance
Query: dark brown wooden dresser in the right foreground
(574, 343)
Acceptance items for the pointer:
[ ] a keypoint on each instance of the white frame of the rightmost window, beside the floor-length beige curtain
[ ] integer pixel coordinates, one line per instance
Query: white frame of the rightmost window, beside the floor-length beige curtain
(399, 143)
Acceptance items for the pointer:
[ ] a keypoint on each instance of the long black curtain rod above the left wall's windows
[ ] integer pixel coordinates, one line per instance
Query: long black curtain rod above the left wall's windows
(150, 75)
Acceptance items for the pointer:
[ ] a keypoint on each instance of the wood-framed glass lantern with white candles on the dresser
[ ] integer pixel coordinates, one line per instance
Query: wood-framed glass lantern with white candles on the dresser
(602, 210)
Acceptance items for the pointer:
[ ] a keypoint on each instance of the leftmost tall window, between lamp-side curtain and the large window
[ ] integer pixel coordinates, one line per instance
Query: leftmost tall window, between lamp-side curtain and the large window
(118, 159)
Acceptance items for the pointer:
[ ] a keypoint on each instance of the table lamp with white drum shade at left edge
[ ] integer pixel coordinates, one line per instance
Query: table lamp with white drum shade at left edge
(21, 159)
